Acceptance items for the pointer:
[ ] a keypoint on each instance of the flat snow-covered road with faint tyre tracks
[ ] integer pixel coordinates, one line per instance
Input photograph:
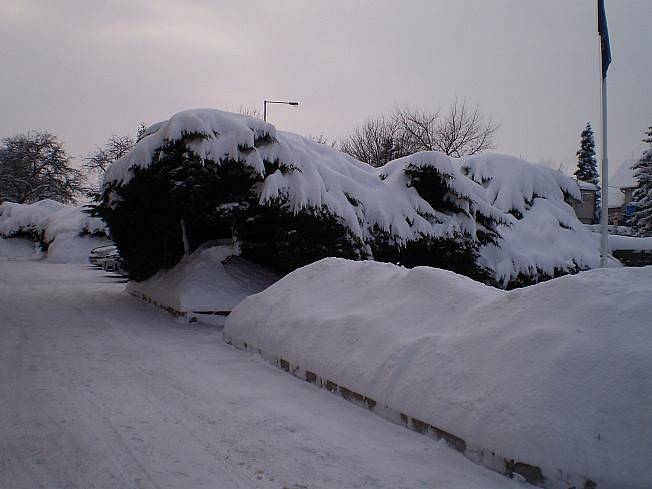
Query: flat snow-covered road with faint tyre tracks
(98, 390)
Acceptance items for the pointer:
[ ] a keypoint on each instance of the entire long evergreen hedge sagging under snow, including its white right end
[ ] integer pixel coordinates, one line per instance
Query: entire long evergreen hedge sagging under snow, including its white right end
(288, 201)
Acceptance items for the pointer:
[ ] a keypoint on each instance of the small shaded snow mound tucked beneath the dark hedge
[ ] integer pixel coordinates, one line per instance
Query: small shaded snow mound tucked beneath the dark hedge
(211, 279)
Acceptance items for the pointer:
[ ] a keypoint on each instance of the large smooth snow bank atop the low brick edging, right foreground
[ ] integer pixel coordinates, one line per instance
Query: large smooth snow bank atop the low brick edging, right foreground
(555, 375)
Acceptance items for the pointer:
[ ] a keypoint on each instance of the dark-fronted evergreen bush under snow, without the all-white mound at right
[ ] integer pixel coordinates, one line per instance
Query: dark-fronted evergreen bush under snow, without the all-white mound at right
(286, 200)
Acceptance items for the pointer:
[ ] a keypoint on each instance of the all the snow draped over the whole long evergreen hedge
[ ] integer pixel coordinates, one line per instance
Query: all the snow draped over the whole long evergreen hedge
(309, 175)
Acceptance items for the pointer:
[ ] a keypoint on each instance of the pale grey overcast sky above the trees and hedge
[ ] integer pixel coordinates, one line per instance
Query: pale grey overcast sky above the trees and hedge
(87, 69)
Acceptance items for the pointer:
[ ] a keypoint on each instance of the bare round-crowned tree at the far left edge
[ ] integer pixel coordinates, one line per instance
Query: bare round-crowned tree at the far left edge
(35, 166)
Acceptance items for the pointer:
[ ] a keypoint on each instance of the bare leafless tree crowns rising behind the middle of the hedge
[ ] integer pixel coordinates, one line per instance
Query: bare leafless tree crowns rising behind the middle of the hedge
(460, 131)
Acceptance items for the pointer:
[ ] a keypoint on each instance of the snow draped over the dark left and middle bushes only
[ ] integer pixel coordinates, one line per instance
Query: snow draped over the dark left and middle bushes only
(316, 176)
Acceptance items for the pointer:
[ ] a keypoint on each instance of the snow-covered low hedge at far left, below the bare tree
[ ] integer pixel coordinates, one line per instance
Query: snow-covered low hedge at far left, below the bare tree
(68, 233)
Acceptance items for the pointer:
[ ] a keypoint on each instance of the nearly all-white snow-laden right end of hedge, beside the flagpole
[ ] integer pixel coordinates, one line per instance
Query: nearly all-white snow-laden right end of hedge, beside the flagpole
(545, 235)
